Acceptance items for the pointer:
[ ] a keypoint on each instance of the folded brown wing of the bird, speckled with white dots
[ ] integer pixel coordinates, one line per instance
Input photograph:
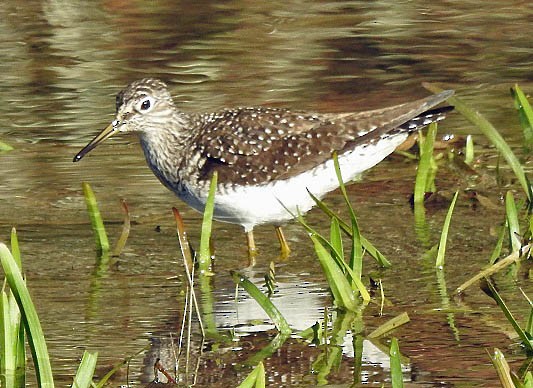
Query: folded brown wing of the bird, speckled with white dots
(258, 145)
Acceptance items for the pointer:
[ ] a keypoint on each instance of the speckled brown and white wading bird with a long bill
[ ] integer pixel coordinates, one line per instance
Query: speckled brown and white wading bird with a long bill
(267, 159)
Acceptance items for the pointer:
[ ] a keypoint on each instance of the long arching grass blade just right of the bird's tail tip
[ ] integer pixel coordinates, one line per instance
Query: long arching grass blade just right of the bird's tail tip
(493, 135)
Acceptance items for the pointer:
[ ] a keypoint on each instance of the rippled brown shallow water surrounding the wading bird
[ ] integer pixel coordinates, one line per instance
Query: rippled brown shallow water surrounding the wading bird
(63, 62)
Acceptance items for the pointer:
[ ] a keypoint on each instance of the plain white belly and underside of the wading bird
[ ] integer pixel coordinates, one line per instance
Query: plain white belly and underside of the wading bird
(267, 204)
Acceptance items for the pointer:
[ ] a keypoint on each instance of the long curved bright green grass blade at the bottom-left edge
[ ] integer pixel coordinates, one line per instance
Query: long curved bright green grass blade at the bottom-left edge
(37, 343)
